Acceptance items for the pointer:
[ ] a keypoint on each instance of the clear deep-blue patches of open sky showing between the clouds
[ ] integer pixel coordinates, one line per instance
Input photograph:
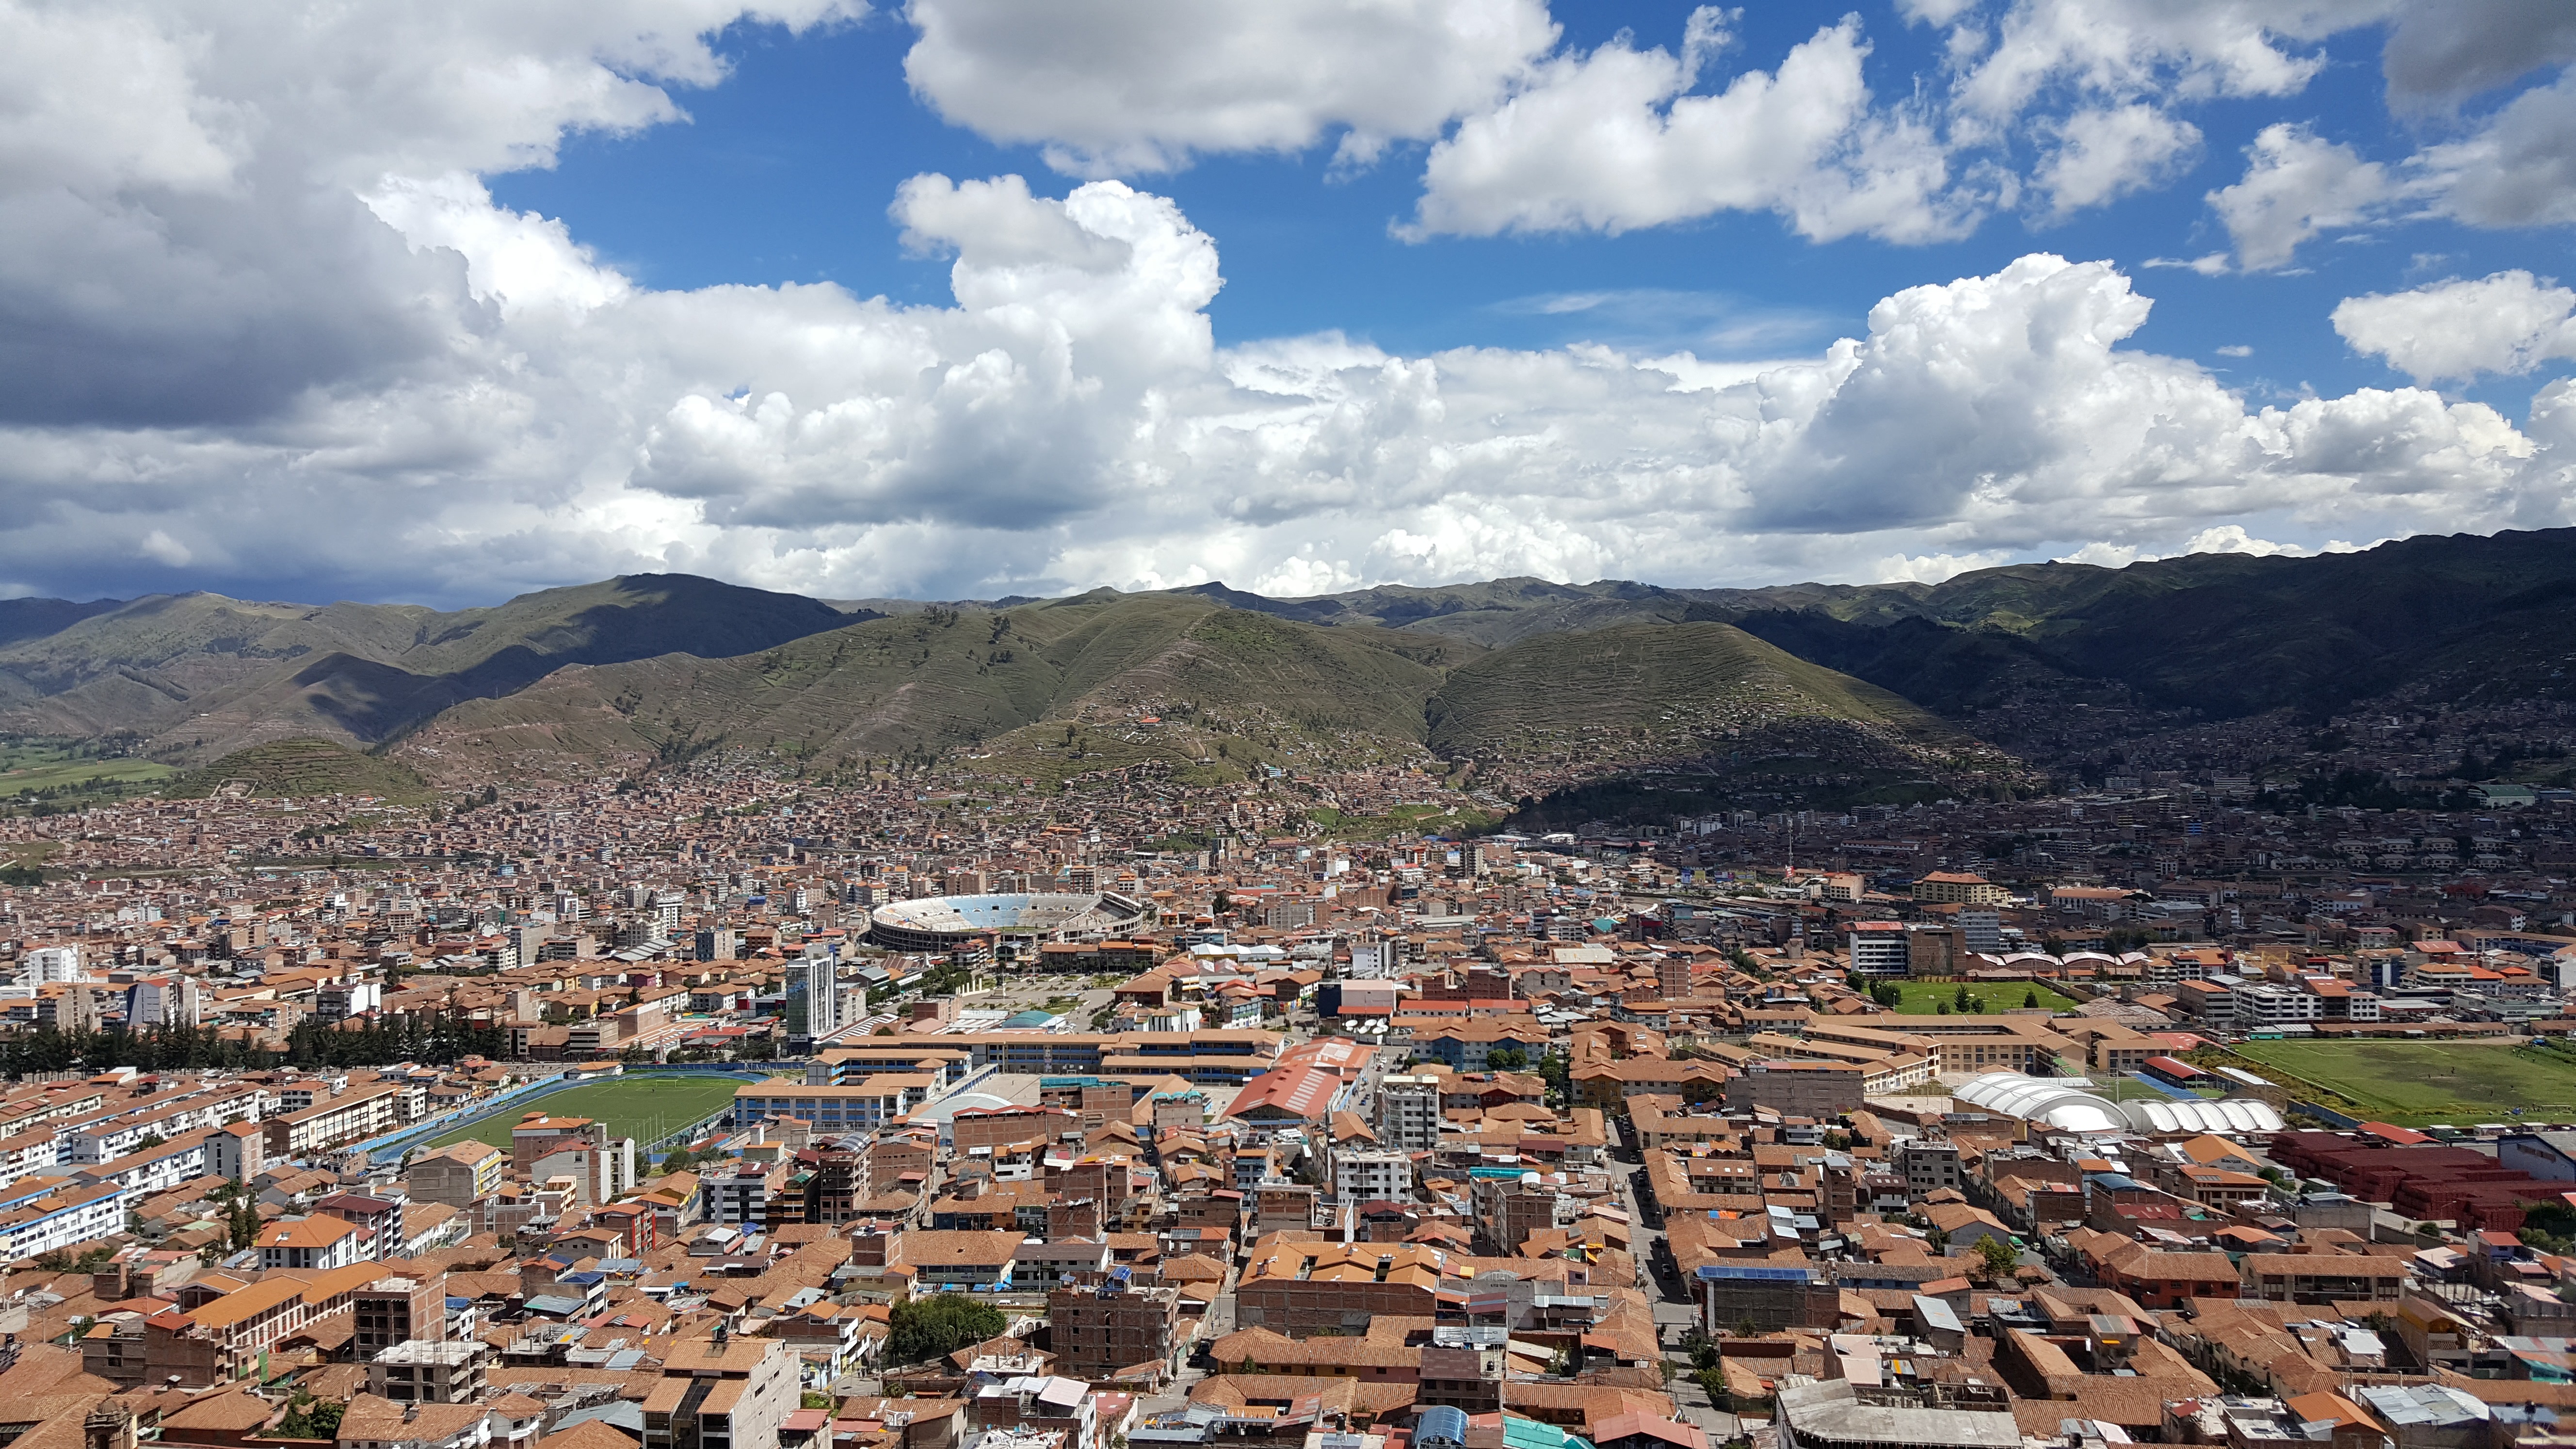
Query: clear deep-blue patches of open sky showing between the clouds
(787, 169)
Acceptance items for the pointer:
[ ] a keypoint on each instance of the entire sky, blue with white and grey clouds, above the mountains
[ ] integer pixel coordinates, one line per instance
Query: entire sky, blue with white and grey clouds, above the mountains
(447, 303)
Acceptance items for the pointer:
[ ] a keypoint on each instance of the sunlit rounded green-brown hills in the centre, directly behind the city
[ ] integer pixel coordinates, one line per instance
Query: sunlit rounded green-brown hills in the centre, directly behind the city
(1176, 682)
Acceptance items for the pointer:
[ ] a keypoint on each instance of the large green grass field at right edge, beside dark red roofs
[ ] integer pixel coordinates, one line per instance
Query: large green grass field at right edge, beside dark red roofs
(2415, 1084)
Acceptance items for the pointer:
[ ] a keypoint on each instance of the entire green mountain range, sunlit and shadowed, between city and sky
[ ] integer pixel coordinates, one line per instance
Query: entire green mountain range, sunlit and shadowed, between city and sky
(1864, 685)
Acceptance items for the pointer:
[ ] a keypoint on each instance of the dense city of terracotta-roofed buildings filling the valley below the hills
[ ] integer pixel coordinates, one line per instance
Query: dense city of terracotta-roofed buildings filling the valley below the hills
(723, 1105)
